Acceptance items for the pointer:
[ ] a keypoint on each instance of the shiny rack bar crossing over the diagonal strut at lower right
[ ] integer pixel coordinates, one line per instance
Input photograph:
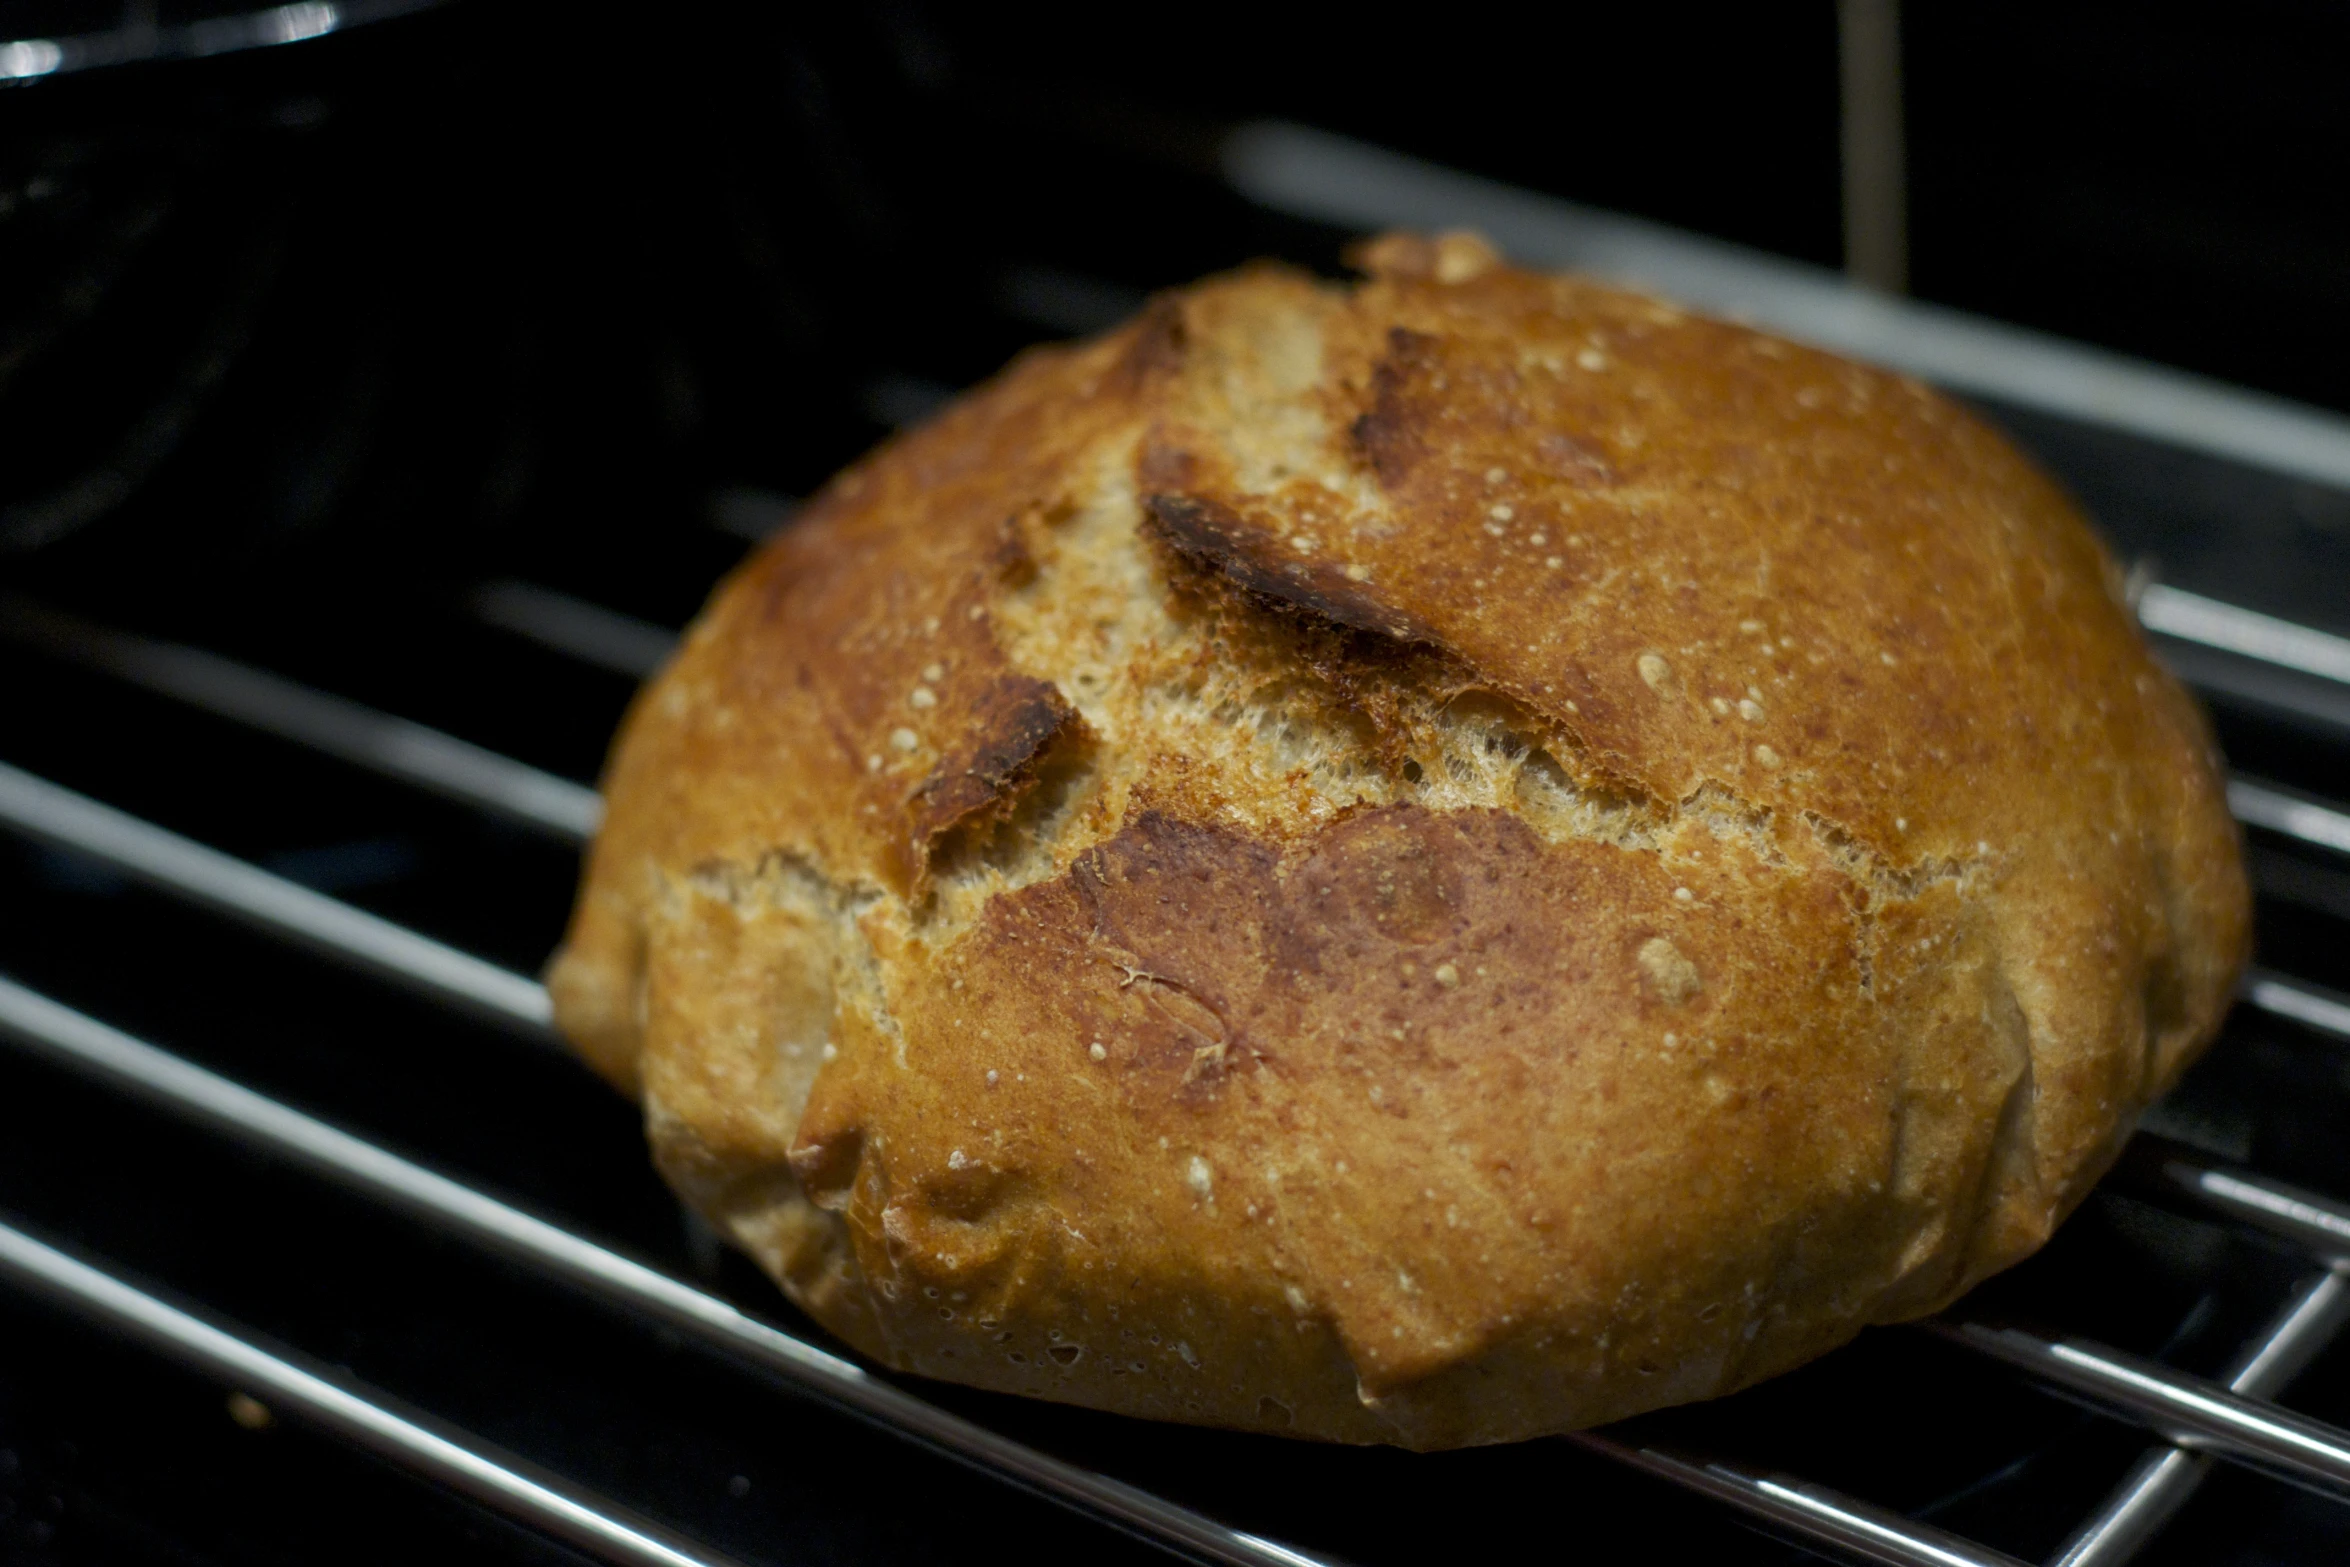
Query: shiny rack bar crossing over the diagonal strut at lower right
(2189, 1411)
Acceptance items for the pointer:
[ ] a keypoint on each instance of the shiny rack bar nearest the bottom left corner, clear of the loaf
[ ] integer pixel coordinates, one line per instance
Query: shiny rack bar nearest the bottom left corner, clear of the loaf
(351, 1411)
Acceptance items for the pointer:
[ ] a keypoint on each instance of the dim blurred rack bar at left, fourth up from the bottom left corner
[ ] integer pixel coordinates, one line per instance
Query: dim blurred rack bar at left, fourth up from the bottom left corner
(271, 704)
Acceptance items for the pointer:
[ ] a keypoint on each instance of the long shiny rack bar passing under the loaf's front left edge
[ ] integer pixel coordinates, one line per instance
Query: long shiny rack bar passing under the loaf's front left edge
(163, 1080)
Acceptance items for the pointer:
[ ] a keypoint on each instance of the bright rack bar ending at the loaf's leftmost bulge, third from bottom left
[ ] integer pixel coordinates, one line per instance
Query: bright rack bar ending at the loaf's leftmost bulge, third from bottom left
(274, 903)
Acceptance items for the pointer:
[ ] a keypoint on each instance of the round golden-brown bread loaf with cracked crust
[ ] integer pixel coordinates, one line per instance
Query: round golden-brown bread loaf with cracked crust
(1409, 863)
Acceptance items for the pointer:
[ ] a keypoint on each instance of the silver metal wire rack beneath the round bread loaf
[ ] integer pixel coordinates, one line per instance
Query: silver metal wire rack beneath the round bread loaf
(2191, 1425)
